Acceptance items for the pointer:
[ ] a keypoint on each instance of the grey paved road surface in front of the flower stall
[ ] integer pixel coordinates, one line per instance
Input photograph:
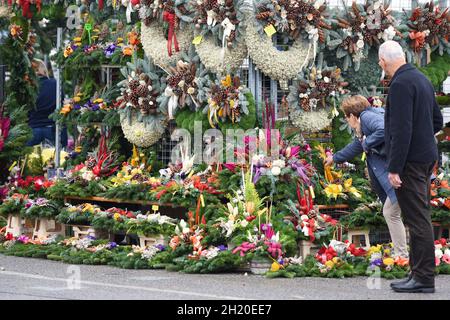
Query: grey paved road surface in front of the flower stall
(26, 278)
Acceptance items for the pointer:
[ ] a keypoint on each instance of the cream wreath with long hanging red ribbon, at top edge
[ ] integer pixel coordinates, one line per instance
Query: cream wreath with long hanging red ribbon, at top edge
(165, 32)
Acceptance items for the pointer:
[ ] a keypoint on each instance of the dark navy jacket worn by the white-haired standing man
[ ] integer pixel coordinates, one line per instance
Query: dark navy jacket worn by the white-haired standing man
(412, 118)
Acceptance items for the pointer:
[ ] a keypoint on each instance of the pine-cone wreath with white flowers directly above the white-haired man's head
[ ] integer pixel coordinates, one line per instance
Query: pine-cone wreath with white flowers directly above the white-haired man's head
(364, 26)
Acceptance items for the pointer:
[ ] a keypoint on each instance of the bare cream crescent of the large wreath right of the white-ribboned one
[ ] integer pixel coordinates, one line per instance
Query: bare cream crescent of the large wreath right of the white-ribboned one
(276, 64)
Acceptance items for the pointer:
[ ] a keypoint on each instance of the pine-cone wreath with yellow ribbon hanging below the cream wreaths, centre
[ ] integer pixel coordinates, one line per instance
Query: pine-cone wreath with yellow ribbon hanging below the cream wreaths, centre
(227, 101)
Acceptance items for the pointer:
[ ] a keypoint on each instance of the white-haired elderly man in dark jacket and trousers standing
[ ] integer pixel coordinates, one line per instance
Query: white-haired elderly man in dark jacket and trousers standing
(412, 119)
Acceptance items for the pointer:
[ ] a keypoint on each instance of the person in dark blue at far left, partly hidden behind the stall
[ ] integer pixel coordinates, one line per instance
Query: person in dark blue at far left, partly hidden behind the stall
(43, 128)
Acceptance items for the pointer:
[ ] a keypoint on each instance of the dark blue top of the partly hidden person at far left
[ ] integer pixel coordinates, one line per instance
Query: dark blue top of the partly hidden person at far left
(45, 104)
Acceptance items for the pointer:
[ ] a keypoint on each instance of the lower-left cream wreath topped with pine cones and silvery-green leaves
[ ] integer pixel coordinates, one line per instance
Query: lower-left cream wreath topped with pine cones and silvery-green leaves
(138, 106)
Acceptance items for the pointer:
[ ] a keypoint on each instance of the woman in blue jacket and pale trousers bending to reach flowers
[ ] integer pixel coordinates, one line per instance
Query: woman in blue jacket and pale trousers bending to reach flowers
(368, 124)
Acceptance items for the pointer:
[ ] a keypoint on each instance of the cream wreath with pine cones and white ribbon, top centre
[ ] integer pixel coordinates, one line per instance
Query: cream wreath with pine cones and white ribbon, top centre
(220, 42)
